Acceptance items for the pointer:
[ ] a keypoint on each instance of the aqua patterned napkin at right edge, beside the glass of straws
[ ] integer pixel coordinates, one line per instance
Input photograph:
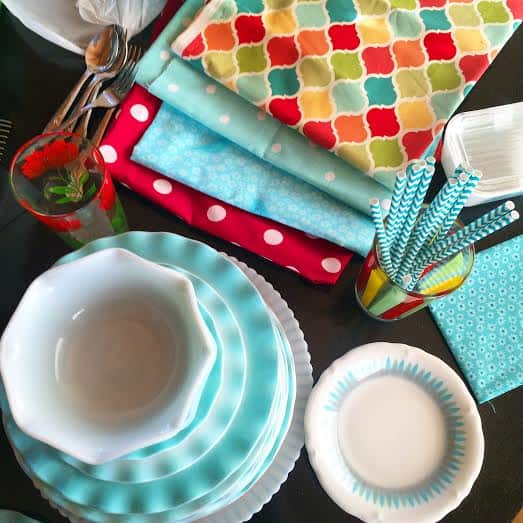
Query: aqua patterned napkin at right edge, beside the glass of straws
(483, 321)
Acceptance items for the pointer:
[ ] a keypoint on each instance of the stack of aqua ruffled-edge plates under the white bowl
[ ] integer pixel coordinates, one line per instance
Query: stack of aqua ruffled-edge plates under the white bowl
(248, 428)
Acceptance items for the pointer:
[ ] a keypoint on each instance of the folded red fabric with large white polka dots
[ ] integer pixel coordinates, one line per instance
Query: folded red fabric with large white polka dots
(315, 259)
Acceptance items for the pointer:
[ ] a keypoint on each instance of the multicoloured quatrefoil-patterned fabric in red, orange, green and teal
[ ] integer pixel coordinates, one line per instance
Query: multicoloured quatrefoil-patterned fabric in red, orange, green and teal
(372, 80)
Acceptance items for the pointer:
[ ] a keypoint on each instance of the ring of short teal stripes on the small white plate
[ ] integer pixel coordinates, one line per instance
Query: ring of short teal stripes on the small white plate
(454, 423)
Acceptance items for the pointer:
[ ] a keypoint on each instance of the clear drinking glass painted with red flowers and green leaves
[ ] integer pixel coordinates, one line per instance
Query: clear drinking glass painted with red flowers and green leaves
(61, 179)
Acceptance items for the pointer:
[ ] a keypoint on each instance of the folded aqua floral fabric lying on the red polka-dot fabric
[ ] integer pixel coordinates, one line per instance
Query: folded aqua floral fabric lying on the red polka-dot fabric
(182, 149)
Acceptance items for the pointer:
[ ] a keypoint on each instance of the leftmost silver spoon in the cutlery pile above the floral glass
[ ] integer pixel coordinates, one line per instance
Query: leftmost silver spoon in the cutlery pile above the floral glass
(101, 53)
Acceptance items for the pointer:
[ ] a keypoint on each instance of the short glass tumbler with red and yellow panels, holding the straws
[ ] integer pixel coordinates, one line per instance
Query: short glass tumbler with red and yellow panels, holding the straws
(383, 299)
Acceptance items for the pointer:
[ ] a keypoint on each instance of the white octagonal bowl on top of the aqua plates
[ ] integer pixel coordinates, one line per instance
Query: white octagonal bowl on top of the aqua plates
(105, 355)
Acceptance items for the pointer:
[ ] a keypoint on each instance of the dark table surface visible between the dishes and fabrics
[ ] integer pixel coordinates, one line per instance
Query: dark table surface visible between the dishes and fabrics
(34, 77)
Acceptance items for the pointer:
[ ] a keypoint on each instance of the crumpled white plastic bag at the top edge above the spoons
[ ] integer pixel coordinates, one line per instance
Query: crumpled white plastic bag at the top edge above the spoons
(134, 15)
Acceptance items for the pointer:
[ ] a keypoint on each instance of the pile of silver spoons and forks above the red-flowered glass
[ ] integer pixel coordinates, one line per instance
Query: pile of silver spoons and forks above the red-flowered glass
(109, 59)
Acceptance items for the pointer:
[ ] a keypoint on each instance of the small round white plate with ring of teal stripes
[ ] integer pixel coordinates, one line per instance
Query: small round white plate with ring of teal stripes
(393, 435)
